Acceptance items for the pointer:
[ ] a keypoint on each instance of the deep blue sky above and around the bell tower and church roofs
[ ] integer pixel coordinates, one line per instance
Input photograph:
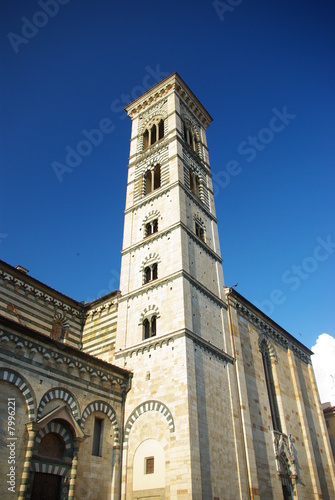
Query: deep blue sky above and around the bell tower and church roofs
(263, 70)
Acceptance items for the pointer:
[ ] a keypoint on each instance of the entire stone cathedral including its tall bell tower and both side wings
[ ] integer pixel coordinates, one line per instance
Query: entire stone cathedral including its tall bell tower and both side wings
(176, 387)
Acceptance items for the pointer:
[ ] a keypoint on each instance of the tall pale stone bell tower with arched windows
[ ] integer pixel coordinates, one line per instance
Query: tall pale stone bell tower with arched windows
(172, 322)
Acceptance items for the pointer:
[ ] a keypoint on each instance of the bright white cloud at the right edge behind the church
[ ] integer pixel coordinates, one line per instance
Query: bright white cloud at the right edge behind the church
(324, 367)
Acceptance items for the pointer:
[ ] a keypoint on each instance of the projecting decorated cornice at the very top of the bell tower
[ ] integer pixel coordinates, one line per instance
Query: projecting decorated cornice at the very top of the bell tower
(181, 87)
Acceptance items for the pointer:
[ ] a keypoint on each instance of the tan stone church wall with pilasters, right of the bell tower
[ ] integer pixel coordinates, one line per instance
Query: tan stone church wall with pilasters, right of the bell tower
(298, 405)
